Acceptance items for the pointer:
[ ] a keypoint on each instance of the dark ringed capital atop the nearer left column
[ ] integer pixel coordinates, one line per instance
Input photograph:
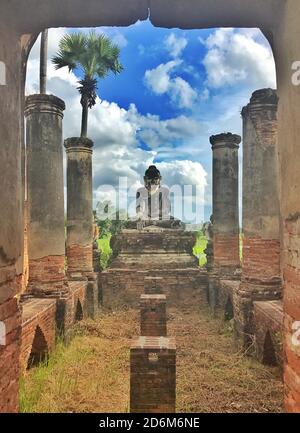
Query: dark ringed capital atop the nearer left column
(41, 103)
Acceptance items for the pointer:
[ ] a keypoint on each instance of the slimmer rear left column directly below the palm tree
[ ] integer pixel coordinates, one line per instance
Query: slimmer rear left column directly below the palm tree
(79, 206)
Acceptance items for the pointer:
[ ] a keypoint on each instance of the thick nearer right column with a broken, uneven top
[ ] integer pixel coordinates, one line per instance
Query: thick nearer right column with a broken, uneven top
(261, 275)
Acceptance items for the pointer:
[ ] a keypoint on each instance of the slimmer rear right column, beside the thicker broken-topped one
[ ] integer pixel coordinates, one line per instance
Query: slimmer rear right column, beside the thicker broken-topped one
(226, 201)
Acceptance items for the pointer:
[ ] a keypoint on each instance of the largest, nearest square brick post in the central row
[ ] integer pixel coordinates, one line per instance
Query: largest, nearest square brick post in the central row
(153, 375)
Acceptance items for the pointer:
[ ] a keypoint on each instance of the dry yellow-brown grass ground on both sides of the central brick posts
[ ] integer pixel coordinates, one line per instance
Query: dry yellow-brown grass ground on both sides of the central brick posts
(91, 374)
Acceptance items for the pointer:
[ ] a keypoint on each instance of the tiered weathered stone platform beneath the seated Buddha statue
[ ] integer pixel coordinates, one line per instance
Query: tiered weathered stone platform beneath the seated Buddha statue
(152, 252)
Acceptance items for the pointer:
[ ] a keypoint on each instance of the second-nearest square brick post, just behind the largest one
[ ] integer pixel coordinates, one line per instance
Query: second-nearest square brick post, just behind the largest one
(153, 315)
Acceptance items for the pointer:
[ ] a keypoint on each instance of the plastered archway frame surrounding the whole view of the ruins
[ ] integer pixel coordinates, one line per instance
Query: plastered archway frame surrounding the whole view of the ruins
(277, 19)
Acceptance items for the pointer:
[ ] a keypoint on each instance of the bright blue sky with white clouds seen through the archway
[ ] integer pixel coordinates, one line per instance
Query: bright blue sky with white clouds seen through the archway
(177, 88)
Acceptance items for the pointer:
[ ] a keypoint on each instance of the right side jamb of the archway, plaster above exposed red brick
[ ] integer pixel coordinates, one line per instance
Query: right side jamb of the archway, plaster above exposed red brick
(287, 51)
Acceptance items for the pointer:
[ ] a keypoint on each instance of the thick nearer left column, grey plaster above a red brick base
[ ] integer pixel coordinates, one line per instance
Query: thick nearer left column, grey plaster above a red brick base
(46, 232)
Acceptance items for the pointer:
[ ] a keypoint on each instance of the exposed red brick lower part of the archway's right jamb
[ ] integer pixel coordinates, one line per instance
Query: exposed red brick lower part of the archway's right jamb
(291, 272)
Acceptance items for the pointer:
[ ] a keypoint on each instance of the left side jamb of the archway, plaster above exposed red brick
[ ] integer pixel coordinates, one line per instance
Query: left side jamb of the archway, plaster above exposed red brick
(11, 232)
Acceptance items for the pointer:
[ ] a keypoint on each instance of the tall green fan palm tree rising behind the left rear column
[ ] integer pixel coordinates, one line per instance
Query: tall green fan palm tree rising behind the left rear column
(96, 56)
